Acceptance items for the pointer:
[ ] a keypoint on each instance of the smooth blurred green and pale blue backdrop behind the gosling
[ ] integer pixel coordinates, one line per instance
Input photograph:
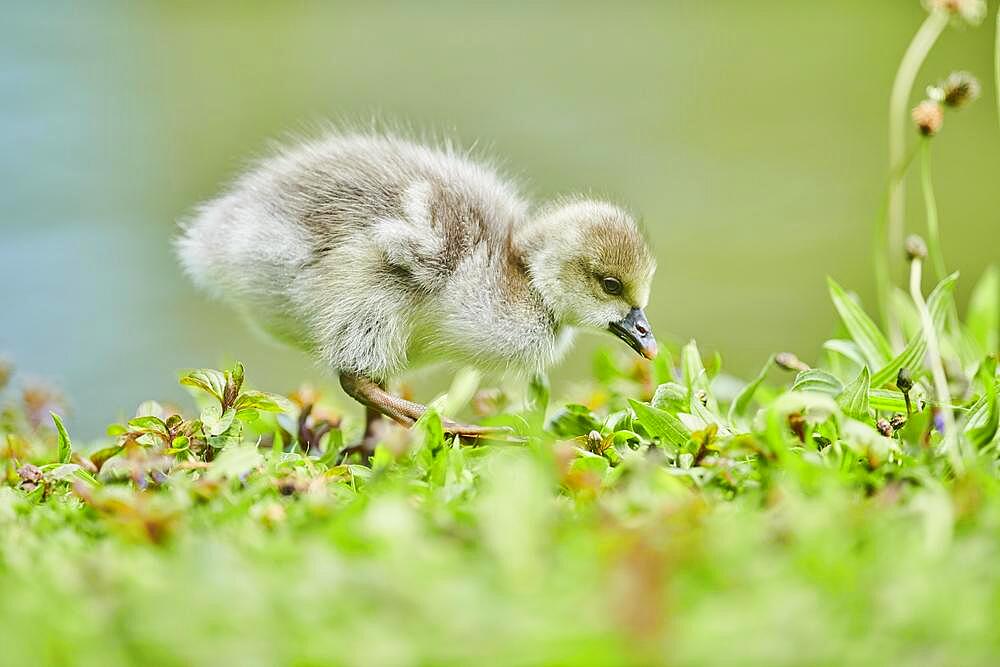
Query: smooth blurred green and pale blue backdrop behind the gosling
(750, 136)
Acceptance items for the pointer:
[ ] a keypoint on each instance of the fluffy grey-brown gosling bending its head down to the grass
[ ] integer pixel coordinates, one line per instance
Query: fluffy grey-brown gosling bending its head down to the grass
(376, 254)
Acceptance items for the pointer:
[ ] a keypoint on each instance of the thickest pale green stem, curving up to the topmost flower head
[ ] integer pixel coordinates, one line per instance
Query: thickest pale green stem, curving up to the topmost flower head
(902, 88)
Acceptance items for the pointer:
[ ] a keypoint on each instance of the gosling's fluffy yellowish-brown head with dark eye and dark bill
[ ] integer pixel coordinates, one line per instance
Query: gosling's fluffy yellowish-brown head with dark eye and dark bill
(591, 264)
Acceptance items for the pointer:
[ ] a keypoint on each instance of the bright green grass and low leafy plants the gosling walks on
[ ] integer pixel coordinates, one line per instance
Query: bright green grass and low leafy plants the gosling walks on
(844, 512)
